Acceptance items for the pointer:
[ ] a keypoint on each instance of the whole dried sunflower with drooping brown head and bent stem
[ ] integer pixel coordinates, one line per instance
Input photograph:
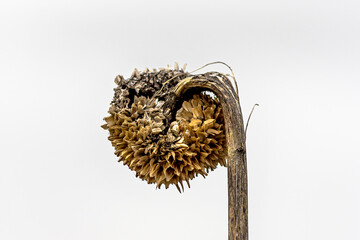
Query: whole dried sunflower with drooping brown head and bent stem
(165, 128)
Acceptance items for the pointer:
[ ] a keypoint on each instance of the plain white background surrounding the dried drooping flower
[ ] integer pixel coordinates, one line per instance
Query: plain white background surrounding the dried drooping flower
(59, 178)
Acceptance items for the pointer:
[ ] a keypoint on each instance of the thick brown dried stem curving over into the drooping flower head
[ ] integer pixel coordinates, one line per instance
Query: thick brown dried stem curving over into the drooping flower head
(237, 168)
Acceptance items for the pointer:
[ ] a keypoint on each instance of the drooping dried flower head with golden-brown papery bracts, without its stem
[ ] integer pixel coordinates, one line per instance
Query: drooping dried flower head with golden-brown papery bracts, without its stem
(161, 143)
